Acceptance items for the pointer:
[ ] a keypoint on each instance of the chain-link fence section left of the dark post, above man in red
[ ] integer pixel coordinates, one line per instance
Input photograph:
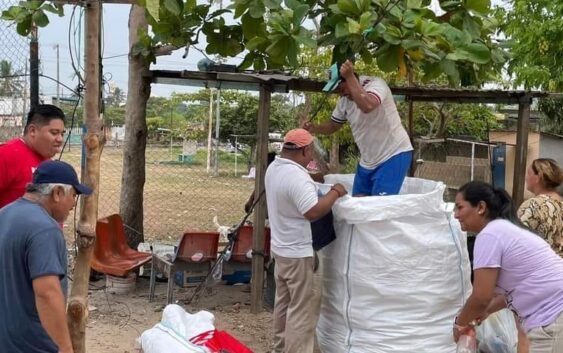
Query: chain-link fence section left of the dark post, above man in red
(14, 79)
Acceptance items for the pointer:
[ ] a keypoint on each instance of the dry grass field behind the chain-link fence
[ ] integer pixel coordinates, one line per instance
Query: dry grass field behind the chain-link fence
(177, 197)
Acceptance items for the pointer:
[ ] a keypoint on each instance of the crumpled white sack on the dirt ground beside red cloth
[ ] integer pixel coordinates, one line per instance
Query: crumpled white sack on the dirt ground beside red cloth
(175, 330)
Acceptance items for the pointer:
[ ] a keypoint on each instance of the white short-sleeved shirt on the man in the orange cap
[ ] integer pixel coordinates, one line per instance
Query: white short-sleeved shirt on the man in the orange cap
(290, 193)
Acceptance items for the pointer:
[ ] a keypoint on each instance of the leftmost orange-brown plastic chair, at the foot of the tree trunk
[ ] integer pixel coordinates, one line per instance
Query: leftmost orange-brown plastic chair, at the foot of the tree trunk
(112, 255)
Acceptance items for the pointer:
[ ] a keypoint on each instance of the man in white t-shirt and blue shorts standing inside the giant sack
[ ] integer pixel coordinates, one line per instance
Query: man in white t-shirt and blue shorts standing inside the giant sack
(385, 148)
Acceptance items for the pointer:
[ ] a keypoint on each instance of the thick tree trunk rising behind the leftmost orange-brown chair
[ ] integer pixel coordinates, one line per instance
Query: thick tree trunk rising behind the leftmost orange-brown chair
(138, 92)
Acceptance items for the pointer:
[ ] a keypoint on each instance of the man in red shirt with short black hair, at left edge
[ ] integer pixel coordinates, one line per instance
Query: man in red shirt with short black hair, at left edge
(42, 139)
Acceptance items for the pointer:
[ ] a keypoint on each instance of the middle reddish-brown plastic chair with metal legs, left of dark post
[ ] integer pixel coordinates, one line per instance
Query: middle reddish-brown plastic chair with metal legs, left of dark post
(185, 258)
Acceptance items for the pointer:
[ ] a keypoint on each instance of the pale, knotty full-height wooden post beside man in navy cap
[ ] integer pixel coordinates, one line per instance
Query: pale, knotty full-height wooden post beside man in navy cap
(77, 312)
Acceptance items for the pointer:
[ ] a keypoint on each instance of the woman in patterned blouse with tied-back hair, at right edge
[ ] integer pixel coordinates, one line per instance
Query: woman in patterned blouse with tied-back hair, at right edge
(544, 212)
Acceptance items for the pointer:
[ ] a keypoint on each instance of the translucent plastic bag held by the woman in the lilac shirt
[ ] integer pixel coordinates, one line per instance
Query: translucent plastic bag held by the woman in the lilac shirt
(498, 333)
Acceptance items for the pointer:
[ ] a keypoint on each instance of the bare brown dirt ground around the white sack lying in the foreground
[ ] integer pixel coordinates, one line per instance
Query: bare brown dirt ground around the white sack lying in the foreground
(116, 321)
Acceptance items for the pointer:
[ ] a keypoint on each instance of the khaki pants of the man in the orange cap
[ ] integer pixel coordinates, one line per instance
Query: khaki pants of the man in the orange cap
(294, 310)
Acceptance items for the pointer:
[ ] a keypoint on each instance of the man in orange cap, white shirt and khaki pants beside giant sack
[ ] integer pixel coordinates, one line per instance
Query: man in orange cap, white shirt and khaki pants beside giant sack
(293, 202)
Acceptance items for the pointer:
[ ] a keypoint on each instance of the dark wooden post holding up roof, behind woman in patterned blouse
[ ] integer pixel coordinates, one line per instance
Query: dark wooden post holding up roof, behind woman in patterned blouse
(521, 157)
